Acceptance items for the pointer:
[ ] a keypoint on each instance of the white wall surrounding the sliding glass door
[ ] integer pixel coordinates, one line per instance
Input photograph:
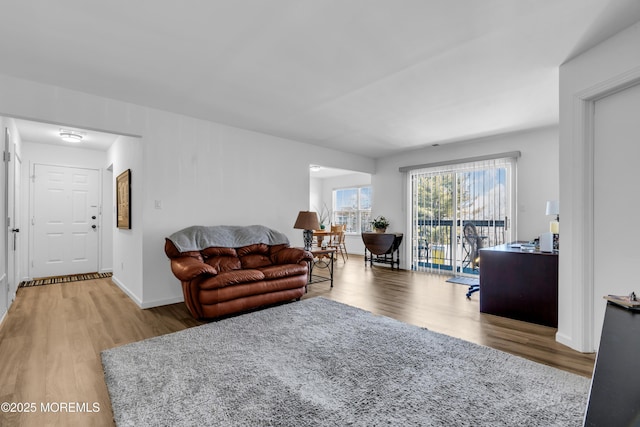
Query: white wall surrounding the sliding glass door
(537, 179)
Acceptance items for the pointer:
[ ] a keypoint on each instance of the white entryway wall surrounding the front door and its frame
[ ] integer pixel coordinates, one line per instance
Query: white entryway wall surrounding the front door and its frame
(33, 153)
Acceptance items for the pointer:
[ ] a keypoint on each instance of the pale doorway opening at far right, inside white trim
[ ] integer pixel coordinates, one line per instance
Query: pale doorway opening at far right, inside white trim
(615, 183)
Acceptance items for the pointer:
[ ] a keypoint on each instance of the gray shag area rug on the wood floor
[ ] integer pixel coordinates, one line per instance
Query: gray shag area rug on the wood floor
(318, 362)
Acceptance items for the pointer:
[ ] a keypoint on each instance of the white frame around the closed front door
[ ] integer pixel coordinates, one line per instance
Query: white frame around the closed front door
(32, 166)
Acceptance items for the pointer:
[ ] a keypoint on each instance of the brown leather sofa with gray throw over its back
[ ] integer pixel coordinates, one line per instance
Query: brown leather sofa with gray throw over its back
(220, 280)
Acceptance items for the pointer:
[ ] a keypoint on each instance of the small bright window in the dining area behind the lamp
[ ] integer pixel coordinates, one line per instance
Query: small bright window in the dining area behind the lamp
(352, 206)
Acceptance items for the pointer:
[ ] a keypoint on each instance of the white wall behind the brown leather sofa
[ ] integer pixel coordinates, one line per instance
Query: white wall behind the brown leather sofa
(201, 172)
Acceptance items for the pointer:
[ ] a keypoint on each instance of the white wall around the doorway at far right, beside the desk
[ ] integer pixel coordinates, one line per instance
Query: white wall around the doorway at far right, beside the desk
(608, 67)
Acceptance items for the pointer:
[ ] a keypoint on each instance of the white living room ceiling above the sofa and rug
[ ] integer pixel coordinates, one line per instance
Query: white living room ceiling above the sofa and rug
(373, 77)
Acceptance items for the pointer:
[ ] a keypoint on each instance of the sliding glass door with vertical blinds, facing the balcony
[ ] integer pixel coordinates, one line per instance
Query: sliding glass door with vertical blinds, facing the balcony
(444, 199)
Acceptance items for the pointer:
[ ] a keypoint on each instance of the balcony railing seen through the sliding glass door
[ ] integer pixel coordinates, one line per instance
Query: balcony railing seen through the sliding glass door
(436, 241)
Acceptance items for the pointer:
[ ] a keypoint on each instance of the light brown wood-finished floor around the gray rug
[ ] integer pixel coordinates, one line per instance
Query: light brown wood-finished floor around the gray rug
(51, 339)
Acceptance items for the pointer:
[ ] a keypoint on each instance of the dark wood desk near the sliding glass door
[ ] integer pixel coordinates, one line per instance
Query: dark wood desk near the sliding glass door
(519, 285)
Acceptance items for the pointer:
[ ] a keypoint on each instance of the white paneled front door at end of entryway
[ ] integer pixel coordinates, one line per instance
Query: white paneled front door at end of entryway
(65, 220)
